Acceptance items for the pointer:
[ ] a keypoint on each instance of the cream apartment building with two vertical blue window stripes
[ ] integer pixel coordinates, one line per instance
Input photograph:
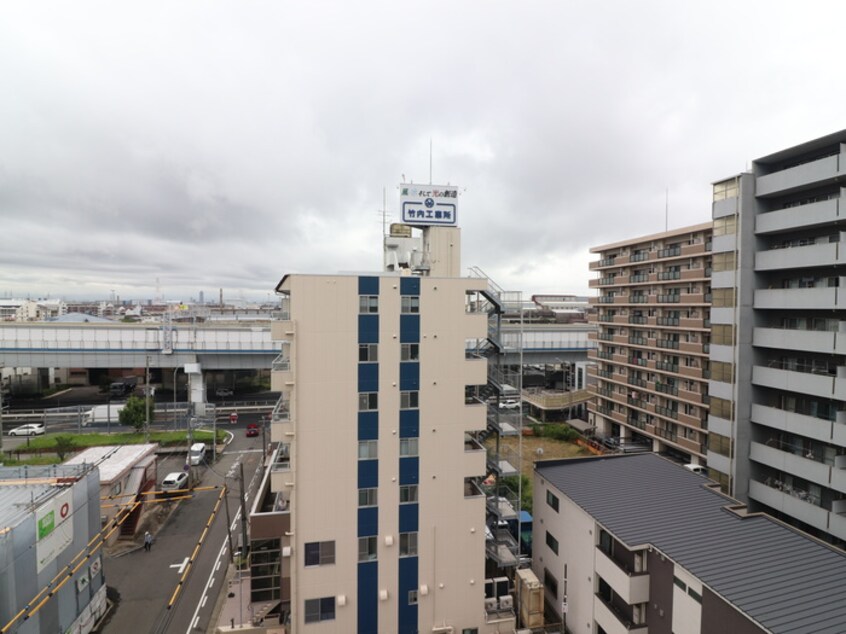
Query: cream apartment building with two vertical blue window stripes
(378, 468)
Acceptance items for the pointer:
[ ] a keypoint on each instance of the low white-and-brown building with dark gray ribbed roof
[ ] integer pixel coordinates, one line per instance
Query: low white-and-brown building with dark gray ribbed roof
(635, 544)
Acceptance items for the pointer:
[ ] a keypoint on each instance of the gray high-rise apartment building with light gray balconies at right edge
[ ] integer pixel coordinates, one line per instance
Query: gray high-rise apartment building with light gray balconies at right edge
(777, 421)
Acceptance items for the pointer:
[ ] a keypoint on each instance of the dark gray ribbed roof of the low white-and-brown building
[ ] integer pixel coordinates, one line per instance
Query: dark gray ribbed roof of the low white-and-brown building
(784, 580)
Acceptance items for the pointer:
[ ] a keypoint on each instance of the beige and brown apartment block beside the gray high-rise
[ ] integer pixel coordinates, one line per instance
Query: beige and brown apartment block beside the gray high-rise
(653, 318)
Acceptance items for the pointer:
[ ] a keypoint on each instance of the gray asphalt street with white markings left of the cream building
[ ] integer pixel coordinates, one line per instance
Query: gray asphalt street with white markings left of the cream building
(147, 582)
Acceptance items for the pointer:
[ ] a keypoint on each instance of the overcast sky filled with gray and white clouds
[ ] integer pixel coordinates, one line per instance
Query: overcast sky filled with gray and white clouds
(214, 145)
